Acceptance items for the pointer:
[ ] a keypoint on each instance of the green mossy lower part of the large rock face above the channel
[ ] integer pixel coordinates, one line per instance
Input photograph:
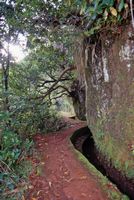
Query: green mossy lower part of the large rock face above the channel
(117, 149)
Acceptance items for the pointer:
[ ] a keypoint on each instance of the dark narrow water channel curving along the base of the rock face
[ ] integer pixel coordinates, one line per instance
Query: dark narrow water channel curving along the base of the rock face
(83, 141)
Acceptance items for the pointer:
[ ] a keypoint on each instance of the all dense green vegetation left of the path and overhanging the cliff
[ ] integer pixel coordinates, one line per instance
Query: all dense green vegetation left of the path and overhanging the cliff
(29, 89)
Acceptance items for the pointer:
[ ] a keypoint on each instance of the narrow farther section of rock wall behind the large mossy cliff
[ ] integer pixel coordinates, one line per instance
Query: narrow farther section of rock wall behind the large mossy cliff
(78, 86)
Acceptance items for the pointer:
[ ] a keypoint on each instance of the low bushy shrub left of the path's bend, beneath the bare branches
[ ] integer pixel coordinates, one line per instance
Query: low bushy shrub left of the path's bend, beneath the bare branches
(28, 118)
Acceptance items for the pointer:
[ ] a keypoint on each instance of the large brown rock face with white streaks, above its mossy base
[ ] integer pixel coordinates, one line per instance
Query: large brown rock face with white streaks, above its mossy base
(109, 72)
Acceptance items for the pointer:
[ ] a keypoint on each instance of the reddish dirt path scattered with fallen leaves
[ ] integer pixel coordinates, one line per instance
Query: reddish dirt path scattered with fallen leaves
(59, 174)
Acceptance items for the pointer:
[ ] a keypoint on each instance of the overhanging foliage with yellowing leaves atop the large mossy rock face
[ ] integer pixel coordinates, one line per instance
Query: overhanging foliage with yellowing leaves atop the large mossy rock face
(100, 14)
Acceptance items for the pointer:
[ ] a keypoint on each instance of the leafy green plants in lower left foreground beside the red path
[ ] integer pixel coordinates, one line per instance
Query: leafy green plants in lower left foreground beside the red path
(13, 167)
